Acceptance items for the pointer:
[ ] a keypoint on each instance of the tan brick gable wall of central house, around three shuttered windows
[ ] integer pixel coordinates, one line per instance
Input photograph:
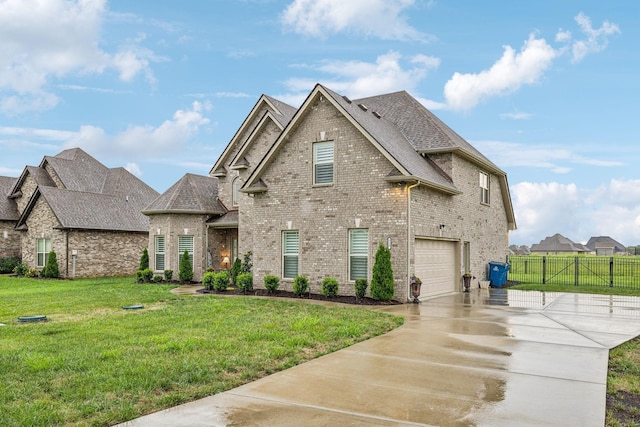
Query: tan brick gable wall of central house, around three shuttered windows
(324, 214)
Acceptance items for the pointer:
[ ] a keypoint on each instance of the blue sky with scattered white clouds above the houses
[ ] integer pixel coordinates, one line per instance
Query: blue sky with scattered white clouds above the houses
(548, 90)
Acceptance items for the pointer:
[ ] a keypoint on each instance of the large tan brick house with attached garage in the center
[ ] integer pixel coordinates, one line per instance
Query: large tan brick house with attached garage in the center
(314, 191)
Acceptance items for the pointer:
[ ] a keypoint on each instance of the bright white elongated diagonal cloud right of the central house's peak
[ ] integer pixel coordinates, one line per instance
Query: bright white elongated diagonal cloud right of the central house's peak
(508, 74)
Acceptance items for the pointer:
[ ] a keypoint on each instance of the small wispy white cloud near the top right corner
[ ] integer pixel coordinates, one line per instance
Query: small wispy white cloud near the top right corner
(597, 39)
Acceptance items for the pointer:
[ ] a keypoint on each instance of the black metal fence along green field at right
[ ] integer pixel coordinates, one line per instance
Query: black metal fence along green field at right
(618, 271)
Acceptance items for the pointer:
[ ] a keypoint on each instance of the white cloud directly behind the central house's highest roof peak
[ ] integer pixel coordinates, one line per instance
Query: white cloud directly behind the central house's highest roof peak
(358, 79)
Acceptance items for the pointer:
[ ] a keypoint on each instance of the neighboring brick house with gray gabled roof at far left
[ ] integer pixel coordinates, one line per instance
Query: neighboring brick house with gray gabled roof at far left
(87, 213)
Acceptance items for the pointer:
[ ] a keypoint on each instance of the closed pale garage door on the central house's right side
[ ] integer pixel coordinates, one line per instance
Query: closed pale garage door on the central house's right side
(436, 266)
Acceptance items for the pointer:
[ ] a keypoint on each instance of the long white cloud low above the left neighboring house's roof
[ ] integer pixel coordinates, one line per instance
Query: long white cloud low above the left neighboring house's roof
(170, 137)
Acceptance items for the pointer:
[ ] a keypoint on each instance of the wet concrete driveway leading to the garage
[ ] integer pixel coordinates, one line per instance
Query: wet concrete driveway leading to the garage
(487, 358)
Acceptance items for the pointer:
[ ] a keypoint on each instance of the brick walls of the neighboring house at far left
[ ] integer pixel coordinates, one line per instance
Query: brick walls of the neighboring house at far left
(99, 253)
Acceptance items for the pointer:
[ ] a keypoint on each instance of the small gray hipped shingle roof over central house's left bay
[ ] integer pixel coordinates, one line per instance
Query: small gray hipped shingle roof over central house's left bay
(192, 193)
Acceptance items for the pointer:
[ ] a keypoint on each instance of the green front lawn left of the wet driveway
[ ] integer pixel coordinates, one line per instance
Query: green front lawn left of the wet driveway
(94, 363)
